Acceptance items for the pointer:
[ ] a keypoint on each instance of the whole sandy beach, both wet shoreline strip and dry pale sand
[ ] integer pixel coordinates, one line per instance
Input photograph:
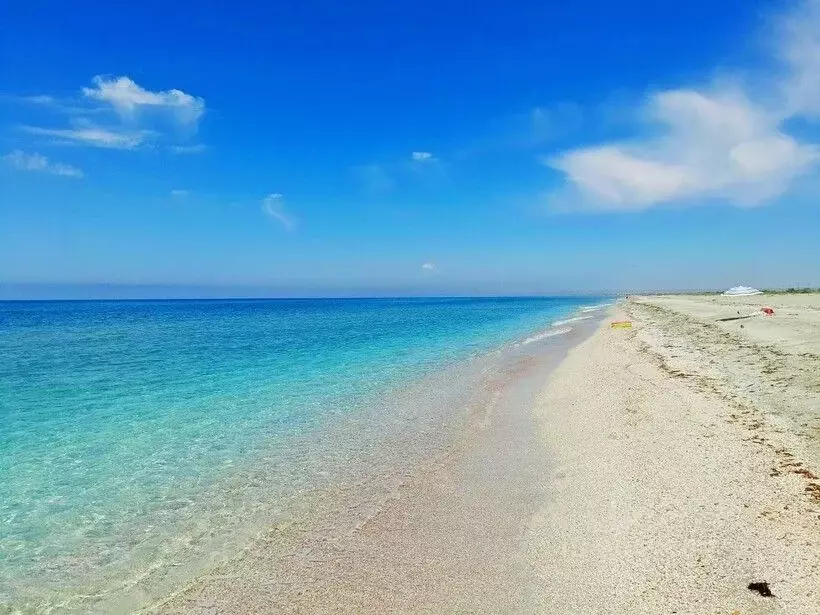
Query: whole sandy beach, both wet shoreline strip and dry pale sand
(661, 469)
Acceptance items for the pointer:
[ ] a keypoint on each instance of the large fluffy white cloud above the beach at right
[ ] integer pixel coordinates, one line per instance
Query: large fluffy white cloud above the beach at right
(719, 142)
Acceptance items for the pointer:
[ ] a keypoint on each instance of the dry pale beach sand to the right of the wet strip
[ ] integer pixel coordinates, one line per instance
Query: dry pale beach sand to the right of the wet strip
(686, 462)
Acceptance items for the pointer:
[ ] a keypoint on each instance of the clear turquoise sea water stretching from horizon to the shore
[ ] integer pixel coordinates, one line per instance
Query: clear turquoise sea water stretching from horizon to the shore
(129, 430)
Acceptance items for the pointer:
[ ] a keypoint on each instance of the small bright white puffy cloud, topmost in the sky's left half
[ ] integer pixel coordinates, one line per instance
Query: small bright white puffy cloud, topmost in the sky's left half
(126, 97)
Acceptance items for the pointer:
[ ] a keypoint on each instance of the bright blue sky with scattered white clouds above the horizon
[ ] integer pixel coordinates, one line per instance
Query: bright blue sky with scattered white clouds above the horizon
(318, 148)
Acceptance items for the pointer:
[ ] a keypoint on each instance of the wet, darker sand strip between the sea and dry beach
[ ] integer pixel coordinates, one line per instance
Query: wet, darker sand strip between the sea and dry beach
(448, 538)
